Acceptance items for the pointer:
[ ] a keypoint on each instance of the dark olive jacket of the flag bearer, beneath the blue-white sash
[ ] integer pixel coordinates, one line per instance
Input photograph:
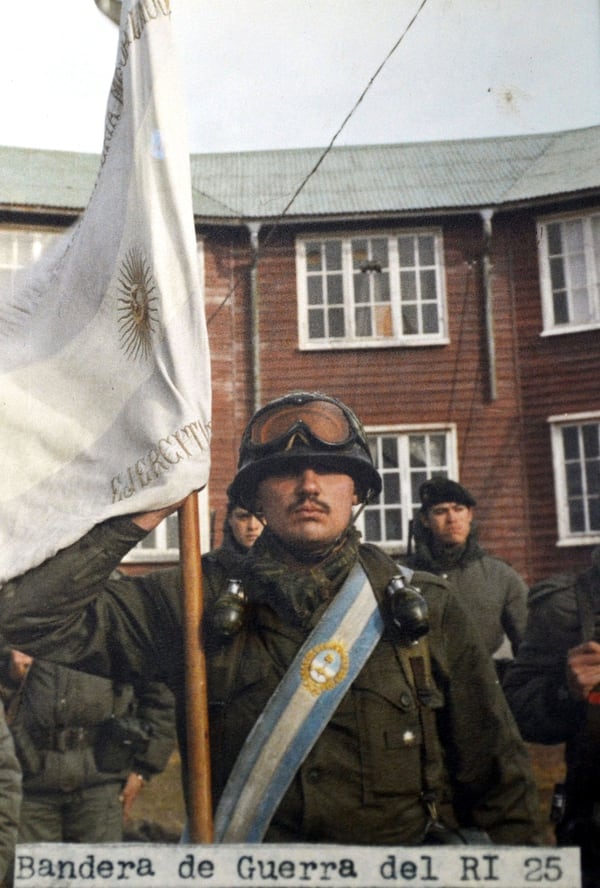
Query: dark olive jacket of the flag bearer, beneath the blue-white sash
(361, 783)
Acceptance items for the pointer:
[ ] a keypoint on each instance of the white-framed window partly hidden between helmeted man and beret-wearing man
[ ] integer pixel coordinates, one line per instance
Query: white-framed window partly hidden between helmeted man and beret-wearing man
(405, 457)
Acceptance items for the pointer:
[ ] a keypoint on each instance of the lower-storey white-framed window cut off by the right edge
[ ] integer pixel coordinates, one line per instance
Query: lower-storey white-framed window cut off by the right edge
(576, 458)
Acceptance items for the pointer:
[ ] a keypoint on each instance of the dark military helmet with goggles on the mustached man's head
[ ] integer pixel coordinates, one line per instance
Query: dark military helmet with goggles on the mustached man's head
(303, 426)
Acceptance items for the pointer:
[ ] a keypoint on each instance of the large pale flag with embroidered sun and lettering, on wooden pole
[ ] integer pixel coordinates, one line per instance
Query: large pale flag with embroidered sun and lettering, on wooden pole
(104, 360)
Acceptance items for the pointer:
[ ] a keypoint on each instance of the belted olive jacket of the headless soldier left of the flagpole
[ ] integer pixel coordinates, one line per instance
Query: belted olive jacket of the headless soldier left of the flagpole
(63, 728)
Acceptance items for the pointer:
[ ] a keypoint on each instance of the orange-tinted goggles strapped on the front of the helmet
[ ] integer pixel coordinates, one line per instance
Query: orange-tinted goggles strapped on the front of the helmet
(316, 421)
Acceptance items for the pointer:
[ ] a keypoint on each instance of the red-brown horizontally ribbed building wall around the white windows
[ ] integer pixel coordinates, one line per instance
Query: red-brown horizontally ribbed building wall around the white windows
(503, 444)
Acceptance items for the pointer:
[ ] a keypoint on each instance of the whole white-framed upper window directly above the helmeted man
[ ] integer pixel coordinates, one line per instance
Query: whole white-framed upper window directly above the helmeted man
(371, 290)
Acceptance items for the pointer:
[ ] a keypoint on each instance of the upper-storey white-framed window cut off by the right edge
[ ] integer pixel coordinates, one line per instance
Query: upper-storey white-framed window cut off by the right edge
(570, 272)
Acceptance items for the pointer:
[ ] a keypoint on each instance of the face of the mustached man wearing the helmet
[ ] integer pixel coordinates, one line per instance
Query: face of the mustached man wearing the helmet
(307, 507)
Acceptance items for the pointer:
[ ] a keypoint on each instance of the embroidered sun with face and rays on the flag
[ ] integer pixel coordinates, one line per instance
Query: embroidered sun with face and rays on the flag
(137, 305)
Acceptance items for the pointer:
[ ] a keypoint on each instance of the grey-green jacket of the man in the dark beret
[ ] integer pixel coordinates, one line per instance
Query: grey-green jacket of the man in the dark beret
(490, 589)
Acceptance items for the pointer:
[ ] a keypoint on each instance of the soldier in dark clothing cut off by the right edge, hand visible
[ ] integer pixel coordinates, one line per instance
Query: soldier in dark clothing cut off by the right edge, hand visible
(553, 689)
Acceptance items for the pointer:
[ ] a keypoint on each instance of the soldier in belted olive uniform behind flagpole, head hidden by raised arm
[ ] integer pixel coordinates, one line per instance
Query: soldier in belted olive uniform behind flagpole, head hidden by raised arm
(86, 747)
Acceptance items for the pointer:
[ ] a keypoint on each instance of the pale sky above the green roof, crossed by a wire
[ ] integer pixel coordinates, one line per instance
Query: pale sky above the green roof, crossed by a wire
(262, 74)
